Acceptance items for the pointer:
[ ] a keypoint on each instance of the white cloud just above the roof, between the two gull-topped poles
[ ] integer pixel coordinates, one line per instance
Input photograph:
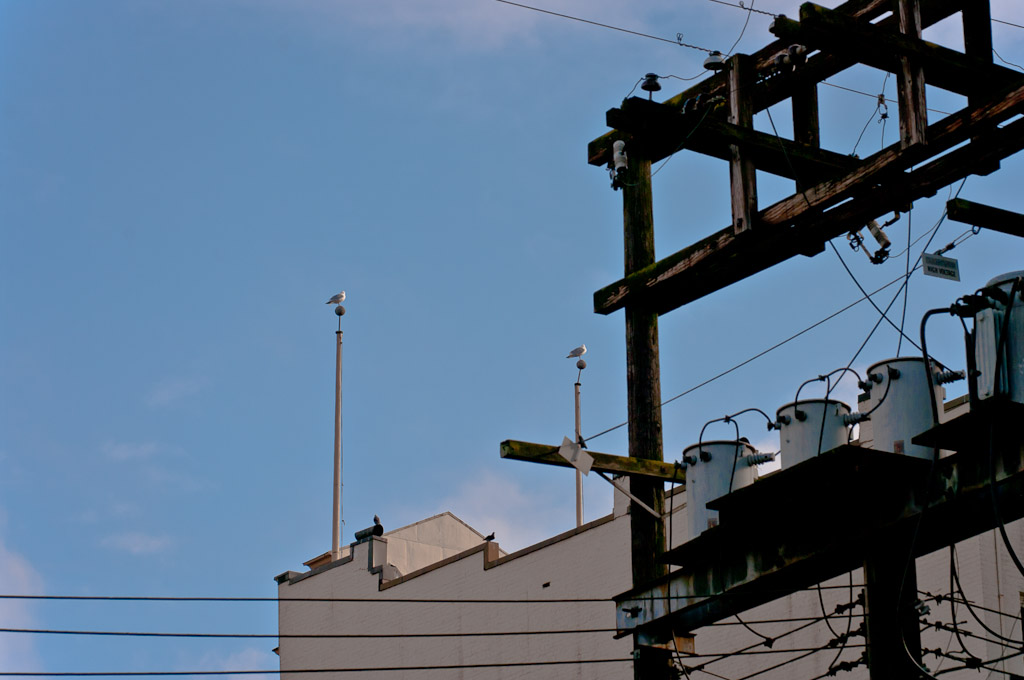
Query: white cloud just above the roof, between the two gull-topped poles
(520, 519)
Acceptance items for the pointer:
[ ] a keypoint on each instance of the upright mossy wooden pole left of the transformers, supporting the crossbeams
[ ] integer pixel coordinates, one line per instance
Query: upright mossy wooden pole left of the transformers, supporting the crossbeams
(645, 403)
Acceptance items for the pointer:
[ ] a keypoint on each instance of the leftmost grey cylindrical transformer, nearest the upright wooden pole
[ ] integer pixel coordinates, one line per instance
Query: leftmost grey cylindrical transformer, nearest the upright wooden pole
(711, 466)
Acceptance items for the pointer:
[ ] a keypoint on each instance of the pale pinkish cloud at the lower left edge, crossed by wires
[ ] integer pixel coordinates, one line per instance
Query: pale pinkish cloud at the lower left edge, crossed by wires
(20, 578)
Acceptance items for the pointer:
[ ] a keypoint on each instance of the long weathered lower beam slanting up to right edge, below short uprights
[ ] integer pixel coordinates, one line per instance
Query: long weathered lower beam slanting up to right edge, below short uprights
(877, 186)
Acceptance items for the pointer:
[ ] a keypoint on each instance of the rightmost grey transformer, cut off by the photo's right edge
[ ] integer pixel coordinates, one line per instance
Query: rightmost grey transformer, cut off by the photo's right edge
(989, 326)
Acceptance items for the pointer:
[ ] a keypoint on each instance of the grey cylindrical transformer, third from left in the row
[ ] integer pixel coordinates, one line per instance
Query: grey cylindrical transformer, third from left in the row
(900, 407)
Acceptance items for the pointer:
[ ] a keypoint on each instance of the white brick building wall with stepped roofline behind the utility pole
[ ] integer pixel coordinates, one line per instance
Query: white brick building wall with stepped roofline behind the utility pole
(594, 563)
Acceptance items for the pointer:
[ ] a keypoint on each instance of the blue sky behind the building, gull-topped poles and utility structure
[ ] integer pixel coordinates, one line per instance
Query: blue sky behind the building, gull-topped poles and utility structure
(183, 185)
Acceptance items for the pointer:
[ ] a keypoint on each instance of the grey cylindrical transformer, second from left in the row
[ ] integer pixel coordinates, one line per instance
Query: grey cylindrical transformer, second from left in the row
(809, 428)
